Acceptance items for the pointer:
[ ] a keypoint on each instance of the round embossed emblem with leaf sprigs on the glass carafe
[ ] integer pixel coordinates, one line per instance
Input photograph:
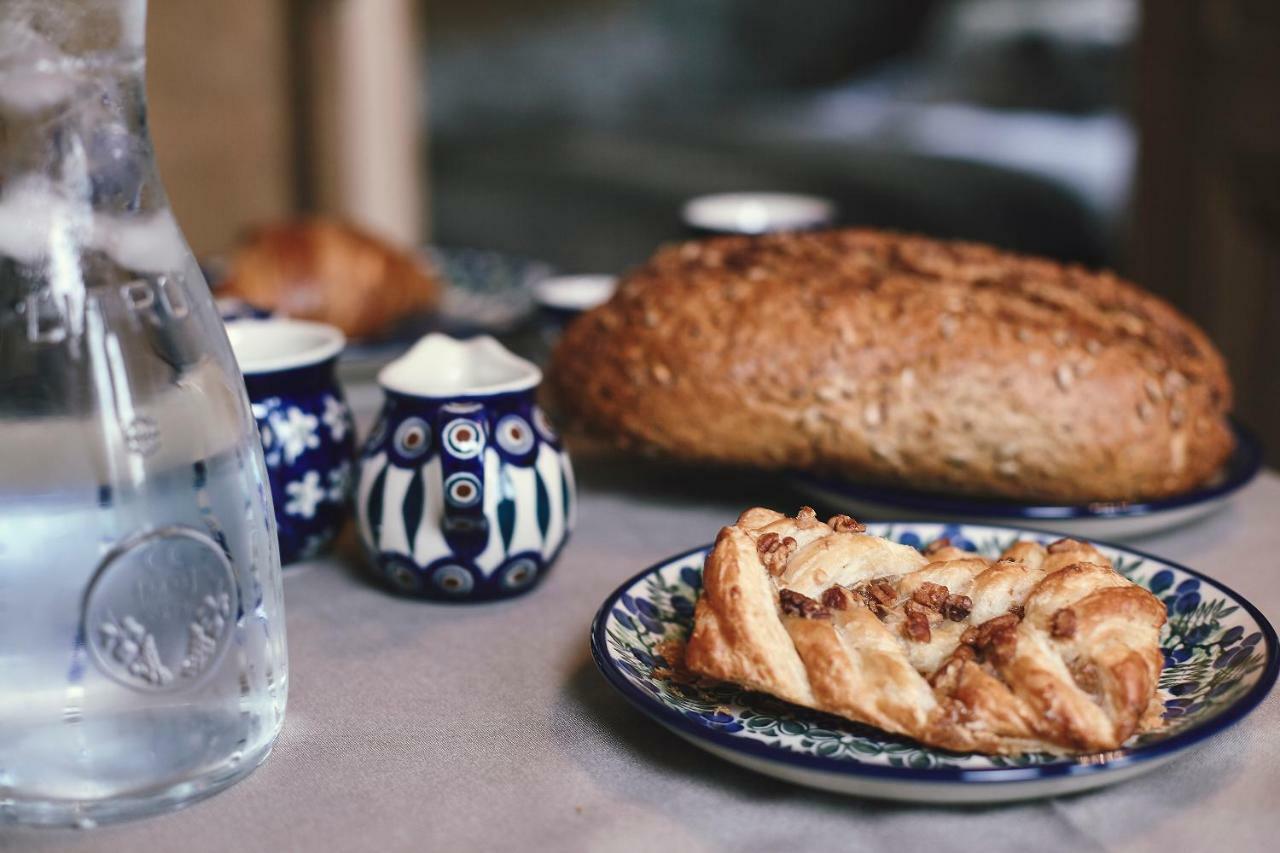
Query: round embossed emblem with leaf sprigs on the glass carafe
(161, 609)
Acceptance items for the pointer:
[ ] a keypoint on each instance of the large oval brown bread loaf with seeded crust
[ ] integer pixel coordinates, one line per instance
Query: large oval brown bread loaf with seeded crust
(900, 359)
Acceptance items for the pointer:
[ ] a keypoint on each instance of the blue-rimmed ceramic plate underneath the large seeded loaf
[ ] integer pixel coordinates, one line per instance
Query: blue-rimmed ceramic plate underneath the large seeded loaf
(1114, 521)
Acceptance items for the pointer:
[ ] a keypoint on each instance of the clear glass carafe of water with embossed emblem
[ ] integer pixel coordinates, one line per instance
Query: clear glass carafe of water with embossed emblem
(143, 655)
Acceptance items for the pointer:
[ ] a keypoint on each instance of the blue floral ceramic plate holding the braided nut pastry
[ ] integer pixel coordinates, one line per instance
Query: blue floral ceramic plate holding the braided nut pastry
(1220, 662)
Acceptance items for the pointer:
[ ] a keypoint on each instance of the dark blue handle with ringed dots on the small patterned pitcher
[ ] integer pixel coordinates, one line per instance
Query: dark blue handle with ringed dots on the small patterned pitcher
(464, 431)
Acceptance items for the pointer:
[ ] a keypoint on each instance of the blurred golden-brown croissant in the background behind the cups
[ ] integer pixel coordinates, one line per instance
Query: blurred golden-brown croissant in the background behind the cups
(333, 273)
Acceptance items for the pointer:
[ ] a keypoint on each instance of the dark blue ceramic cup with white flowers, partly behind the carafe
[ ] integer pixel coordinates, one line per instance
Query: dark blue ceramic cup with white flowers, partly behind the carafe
(308, 432)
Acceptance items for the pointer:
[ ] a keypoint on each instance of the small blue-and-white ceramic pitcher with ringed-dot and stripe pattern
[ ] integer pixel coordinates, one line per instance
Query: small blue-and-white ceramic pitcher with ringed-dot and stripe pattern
(465, 491)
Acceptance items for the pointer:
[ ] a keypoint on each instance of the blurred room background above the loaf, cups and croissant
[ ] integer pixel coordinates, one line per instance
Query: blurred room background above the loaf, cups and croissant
(1142, 136)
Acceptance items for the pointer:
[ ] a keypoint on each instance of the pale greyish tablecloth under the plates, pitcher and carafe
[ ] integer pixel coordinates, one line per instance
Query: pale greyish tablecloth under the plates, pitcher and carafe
(432, 727)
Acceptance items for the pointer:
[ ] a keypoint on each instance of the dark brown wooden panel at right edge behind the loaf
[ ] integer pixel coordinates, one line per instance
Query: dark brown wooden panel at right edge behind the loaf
(1208, 208)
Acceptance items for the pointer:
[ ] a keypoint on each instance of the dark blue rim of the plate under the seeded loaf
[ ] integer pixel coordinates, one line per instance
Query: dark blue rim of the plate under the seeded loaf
(1238, 471)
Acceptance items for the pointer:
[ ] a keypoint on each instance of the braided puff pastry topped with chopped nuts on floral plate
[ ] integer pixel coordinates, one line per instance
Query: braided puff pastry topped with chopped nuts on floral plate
(1044, 650)
